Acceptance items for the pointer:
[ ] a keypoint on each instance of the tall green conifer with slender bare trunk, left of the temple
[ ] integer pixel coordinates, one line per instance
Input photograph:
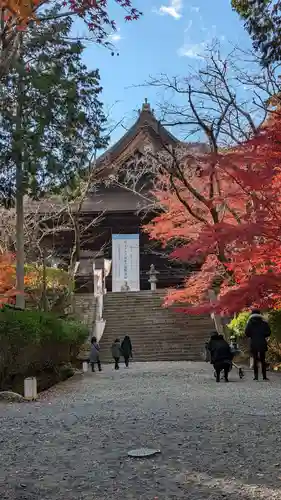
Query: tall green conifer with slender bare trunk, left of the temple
(52, 120)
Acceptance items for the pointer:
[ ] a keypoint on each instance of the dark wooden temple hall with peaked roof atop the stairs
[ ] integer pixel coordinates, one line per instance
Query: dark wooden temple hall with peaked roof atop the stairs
(117, 246)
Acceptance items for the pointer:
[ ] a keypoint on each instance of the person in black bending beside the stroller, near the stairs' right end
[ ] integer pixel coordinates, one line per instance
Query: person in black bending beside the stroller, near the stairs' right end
(221, 355)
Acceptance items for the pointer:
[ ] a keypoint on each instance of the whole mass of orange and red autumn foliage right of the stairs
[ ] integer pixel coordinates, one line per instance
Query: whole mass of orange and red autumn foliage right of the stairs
(228, 219)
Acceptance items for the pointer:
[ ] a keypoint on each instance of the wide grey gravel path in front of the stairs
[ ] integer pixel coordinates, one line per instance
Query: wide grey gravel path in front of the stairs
(218, 441)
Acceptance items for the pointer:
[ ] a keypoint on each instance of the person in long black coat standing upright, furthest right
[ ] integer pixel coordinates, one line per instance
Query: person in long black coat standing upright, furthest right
(258, 331)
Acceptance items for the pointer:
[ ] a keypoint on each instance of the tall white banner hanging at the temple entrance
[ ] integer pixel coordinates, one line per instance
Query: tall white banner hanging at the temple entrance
(125, 262)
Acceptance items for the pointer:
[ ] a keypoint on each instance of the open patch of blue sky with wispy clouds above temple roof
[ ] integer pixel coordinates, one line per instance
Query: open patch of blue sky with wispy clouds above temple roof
(167, 39)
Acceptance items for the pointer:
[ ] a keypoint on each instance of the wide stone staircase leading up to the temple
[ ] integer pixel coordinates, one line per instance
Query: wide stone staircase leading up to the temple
(156, 333)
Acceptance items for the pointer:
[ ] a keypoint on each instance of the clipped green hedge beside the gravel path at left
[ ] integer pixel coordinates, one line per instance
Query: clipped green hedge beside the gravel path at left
(33, 342)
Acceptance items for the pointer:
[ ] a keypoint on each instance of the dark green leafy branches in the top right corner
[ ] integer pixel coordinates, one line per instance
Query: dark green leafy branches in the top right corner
(263, 22)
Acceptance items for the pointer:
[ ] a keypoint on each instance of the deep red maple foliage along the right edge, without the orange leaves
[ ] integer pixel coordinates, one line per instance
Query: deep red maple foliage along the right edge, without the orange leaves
(255, 244)
